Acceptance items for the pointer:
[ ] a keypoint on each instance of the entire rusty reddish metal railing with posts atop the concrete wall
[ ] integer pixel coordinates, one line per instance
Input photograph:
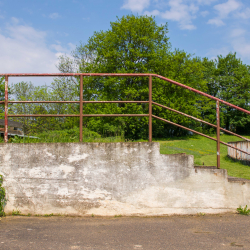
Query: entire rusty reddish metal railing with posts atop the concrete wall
(6, 102)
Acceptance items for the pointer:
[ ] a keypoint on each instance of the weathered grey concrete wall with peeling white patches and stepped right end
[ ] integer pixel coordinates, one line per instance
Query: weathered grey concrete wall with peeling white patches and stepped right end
(112, 179)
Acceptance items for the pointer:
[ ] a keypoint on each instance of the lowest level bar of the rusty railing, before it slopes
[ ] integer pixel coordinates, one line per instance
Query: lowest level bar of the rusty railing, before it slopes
(69, 115)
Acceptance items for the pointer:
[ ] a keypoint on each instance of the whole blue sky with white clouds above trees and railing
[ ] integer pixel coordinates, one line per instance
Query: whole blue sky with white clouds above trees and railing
(34, 33)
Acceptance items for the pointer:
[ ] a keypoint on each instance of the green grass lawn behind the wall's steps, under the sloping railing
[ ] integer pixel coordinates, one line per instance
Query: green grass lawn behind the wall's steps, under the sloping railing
(204, 151)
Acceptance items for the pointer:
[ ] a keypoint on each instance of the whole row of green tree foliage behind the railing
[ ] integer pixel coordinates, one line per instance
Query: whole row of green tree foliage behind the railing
(136, 44)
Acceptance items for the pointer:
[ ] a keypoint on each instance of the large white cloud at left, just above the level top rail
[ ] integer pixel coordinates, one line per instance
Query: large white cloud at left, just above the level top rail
(24, 50)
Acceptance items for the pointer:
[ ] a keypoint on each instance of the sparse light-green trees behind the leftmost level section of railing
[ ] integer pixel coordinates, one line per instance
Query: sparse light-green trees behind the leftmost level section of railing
(58, 91)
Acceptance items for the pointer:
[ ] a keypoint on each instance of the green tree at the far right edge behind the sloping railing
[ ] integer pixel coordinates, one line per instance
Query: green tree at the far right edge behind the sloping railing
(233, 79)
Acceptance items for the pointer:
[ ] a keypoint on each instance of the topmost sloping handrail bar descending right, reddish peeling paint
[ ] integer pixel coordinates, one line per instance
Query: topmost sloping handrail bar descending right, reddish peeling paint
(202, 93)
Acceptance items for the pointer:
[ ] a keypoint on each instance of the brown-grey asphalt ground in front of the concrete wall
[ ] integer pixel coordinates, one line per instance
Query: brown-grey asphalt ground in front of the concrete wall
(228, 231)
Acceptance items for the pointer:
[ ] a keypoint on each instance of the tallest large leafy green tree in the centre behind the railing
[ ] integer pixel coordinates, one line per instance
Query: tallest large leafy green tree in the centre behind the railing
(136, 44)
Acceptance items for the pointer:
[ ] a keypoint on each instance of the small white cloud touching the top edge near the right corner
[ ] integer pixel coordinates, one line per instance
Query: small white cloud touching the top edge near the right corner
(223, 10)
